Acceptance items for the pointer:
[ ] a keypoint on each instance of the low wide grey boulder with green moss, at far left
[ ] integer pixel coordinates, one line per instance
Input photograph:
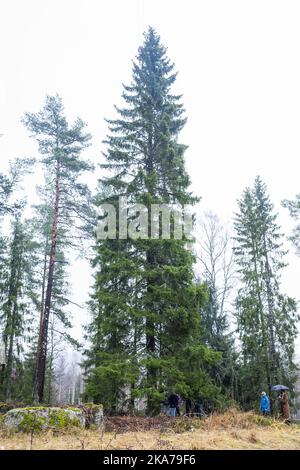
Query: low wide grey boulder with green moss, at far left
(35, 419)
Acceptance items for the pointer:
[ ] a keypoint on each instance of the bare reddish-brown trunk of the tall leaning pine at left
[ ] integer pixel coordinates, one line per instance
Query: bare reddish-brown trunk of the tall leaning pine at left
(43, 332)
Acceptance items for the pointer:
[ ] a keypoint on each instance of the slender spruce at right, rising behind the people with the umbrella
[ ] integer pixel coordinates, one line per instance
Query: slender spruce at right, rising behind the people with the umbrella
(266, 318)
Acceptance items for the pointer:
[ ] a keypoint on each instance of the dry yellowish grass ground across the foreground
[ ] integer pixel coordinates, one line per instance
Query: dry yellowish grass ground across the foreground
(230, 430)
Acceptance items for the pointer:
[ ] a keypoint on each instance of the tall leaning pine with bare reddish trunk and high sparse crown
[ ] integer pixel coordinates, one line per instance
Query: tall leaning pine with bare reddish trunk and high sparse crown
(60, 145)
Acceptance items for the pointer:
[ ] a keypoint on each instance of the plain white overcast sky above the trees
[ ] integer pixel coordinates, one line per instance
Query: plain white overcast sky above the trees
(239, 73)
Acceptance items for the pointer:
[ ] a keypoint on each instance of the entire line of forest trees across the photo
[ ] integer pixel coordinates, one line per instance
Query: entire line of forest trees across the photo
(218, 334)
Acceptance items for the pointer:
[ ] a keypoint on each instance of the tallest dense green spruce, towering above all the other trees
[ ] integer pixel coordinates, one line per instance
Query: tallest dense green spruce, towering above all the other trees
(145, 328)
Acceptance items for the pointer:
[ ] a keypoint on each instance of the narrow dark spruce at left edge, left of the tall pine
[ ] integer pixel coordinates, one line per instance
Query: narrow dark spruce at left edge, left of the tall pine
(17, 302)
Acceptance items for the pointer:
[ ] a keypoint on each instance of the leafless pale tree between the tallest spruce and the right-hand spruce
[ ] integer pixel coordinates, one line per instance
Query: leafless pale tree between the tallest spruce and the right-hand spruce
(218, 270)
